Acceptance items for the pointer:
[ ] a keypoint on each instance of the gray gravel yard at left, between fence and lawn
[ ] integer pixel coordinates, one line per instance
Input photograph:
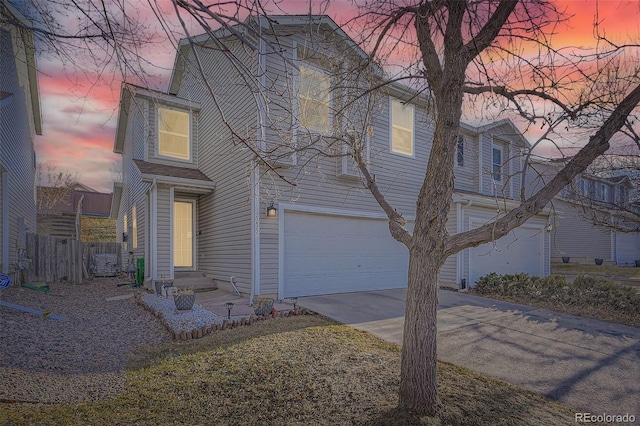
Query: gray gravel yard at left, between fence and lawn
(45, 360)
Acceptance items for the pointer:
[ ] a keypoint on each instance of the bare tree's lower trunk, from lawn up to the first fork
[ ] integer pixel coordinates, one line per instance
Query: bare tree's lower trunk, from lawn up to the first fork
(418, 385)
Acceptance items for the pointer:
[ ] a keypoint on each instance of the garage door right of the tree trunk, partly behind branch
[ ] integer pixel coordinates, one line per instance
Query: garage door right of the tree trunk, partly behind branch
(519, 251)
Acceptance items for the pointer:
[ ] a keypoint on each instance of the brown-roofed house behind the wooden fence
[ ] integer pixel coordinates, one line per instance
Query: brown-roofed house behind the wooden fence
(76, 212)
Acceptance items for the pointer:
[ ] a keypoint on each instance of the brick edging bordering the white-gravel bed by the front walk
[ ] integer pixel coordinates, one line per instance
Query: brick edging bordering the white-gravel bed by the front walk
(198, 333)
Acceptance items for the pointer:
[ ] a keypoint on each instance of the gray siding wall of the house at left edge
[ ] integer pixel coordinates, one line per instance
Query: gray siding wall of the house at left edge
(16, 142)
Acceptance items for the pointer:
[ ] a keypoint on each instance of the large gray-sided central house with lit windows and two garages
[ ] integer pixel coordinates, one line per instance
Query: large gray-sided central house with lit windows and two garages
(194, 197)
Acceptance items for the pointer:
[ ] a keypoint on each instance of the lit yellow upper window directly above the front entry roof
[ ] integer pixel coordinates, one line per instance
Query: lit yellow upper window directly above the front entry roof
(174, 134)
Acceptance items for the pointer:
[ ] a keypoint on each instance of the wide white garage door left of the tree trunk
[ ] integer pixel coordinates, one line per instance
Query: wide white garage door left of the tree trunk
(326, 254)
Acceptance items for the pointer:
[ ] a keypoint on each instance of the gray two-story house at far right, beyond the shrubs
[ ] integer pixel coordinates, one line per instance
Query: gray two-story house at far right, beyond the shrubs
(590, 216)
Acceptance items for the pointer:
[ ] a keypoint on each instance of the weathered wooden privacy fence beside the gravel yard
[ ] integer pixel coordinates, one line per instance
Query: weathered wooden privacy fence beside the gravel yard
(53, 259)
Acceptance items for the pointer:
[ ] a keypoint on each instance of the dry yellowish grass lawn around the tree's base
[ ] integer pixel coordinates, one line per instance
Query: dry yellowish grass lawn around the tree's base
(304, 370)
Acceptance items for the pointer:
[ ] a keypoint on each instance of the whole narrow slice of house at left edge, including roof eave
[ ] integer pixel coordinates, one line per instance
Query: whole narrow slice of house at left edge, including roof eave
(20, 121)
